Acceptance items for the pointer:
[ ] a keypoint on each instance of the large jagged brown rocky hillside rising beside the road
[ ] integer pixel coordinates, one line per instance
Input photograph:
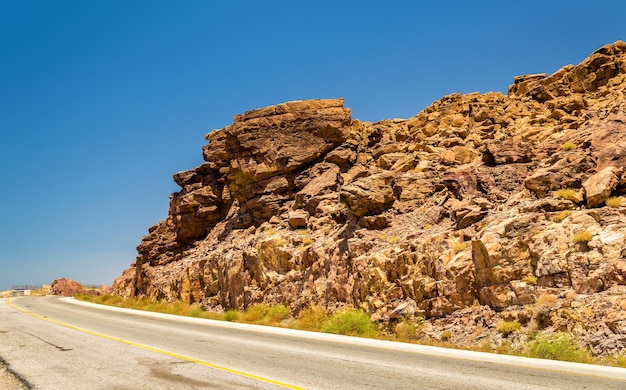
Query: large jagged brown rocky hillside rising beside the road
(451, 215)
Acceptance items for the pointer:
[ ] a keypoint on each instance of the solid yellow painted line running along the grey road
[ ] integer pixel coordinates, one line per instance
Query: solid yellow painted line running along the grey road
(166, 353)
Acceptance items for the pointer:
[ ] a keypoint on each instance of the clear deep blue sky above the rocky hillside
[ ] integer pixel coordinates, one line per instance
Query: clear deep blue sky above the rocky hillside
(102, 101)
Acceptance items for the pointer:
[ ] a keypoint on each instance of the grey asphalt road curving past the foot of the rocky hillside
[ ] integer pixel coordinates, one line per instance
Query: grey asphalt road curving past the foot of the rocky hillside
(59, 344)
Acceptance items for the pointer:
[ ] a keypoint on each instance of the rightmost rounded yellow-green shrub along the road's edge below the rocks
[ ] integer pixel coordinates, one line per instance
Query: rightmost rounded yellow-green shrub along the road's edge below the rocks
(557, 346)
